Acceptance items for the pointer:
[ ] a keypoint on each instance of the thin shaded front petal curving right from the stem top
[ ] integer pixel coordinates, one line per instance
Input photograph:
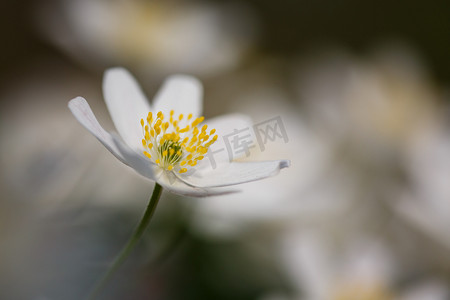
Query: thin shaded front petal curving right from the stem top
(170, 182)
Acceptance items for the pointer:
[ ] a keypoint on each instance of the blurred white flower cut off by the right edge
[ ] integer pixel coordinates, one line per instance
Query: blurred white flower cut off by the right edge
(426, 203)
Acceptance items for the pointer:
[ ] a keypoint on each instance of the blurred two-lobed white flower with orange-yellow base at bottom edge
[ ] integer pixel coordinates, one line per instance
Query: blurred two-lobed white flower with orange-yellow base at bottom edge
(360, 269)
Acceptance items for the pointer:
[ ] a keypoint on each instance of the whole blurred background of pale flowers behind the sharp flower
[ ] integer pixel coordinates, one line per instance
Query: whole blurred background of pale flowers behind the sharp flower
(361, 87)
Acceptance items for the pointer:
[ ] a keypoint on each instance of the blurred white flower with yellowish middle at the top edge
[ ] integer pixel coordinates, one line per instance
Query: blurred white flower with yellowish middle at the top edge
(149, 36)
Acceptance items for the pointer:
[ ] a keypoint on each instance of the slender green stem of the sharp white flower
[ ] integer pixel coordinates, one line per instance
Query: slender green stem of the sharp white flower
(126, 250)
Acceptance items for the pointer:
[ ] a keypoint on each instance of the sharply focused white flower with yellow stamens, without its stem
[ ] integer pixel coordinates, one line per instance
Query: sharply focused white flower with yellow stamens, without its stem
(169, 147)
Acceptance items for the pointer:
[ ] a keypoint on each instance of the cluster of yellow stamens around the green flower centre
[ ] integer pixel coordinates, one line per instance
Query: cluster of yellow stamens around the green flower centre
(176, 144)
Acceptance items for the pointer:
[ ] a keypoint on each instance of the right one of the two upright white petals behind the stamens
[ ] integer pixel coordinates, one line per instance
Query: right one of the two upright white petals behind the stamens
(181, 93)
